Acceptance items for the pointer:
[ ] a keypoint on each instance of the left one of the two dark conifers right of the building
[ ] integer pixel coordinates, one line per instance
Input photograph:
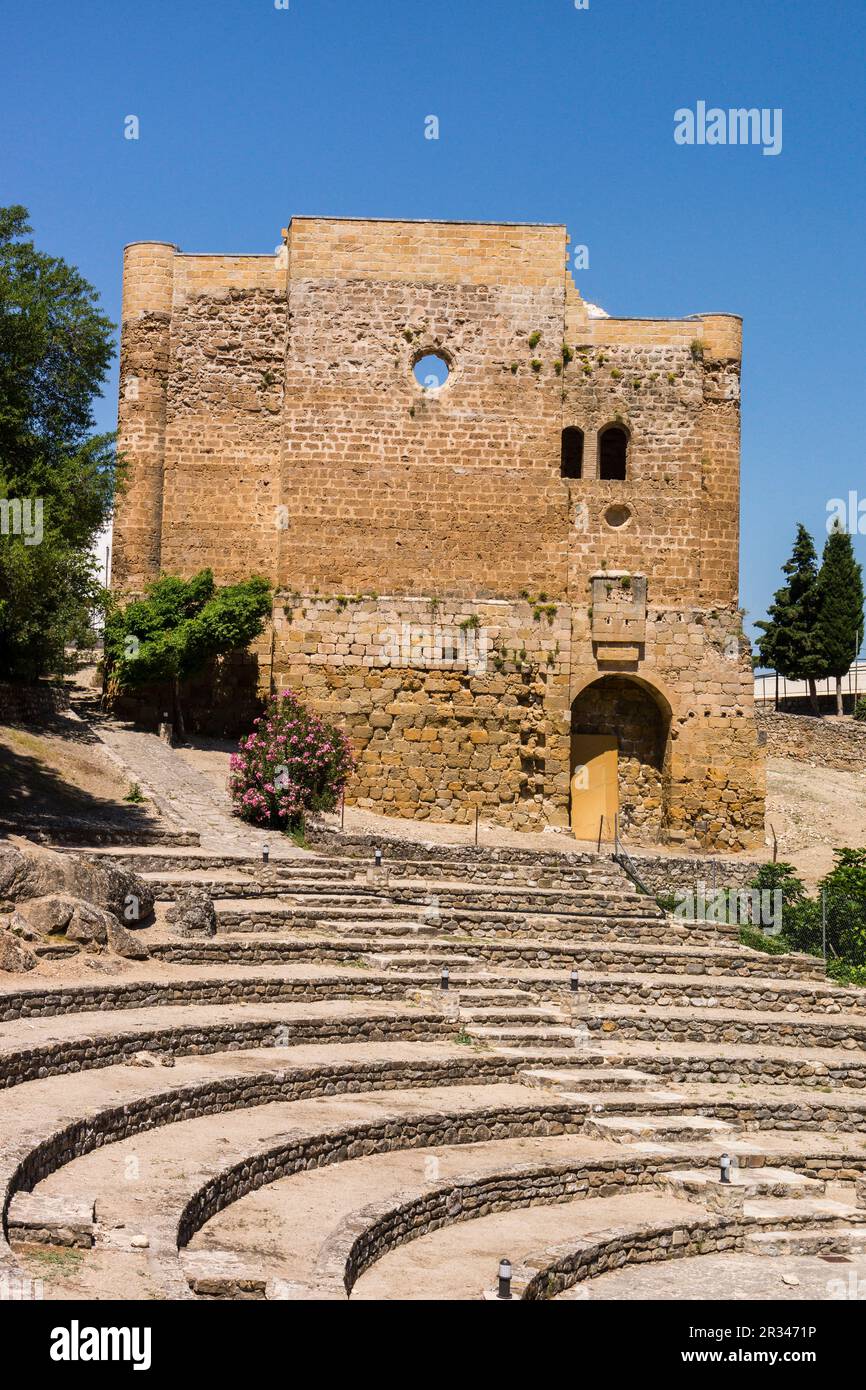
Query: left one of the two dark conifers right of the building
(789, 641)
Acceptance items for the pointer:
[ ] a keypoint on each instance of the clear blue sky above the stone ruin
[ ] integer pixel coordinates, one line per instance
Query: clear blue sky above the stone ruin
(548, 113)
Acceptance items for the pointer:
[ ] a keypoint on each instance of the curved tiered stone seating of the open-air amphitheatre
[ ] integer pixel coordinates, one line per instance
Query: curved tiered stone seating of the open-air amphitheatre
(365, 1063)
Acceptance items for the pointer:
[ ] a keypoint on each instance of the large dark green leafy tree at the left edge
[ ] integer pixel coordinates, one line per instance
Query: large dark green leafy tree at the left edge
(55, 354)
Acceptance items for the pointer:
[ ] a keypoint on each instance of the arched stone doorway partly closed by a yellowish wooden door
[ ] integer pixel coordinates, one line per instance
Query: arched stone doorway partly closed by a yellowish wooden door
(621, 737)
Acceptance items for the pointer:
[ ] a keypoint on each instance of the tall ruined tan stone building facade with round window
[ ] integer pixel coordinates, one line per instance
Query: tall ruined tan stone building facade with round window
(516, 590)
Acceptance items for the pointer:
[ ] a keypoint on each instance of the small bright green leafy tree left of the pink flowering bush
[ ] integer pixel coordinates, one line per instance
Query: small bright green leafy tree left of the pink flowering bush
(179, 628)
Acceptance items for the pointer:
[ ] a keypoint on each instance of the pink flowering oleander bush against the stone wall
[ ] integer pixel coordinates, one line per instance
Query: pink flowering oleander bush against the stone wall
(291, 764)
